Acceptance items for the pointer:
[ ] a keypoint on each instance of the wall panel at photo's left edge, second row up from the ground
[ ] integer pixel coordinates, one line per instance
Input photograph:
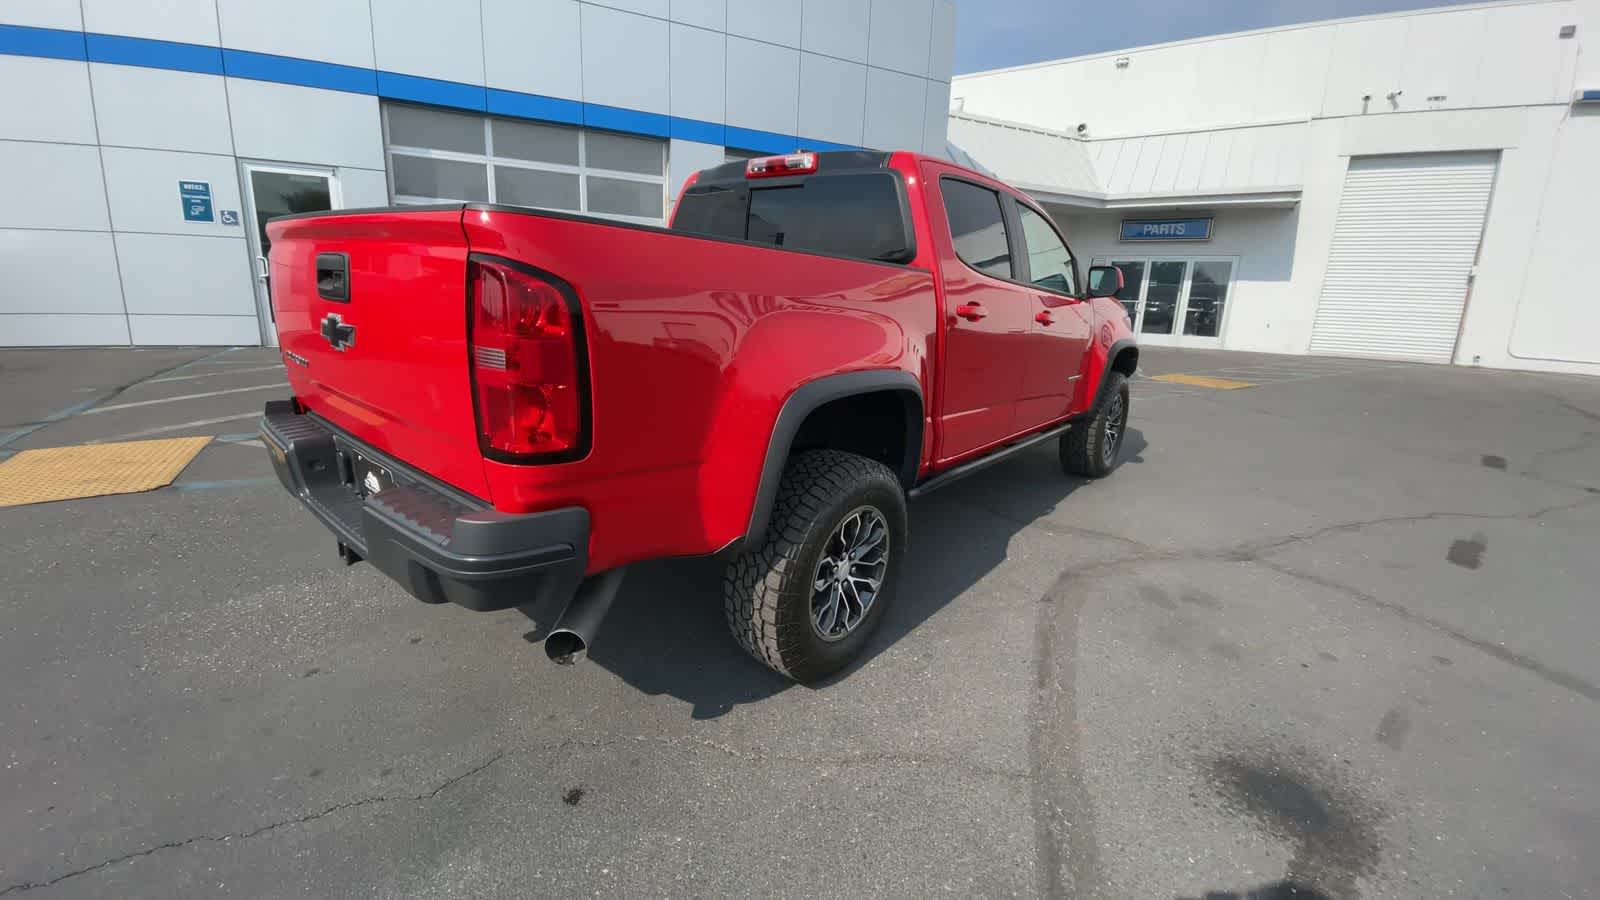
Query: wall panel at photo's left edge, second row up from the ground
(58, 271)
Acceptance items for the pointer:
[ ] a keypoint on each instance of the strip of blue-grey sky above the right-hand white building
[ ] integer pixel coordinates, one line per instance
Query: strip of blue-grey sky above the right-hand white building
(993, 34)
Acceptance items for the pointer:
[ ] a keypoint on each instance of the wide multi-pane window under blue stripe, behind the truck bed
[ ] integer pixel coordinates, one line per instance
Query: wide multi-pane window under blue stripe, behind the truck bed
(441, 156)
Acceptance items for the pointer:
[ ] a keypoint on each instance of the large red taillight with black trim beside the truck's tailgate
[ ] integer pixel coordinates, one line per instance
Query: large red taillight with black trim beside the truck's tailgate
(527, 364)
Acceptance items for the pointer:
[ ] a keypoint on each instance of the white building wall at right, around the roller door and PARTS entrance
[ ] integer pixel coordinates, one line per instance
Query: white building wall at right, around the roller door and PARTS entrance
(1287, 106)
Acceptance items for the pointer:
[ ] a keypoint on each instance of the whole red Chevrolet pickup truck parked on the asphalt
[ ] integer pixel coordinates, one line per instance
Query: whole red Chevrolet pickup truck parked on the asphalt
(505, 406)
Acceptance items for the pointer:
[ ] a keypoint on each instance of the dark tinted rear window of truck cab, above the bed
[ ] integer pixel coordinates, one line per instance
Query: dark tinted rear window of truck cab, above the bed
(844, 215)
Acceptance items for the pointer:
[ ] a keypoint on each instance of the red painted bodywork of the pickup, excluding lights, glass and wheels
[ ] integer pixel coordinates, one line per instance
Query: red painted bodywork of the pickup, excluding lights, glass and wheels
(694, 348)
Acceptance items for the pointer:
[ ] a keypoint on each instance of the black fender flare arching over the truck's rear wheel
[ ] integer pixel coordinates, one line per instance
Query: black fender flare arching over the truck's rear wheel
(807, 400)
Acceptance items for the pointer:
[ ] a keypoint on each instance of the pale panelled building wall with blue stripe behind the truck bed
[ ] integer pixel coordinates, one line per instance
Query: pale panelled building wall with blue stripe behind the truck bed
(94, 246)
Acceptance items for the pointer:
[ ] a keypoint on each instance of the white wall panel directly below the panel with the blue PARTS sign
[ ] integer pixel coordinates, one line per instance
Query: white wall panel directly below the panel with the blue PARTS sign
(214, 281)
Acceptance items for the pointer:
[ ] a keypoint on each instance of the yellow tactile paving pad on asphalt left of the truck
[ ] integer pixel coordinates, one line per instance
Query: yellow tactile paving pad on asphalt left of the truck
(95, 470)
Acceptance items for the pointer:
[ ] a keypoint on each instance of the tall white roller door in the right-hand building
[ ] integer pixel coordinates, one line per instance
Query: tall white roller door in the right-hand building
(1404, 247)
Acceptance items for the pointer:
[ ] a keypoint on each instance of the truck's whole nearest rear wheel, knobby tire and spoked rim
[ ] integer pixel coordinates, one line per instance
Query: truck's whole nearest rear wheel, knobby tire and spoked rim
(810, 598)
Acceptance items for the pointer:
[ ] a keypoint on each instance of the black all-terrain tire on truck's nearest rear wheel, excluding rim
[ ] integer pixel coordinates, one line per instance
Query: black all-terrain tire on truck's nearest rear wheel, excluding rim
(769, 590)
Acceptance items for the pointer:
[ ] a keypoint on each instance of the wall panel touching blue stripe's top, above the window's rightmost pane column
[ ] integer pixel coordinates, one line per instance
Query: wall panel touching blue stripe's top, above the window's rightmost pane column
(618, 49)
